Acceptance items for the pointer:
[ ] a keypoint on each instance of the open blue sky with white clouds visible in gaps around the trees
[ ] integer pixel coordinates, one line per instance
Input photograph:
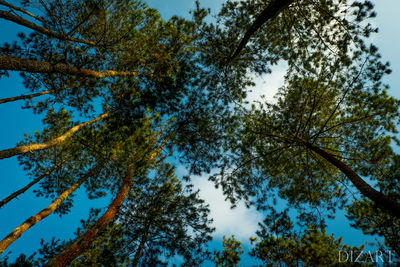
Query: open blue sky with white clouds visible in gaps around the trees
(241, 221)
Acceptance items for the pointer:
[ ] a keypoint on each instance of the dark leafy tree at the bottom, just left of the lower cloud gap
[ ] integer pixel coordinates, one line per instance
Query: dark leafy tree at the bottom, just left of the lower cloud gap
(164, 218)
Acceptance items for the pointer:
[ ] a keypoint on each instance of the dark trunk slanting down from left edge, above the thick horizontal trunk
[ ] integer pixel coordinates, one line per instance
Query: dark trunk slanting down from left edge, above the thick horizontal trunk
(26, 23)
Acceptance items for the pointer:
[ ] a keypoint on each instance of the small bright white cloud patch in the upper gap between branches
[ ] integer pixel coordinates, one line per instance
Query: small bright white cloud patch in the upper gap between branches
(267, 84)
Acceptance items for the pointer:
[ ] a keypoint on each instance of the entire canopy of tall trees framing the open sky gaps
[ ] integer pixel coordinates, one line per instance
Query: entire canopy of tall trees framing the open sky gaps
(127, 96)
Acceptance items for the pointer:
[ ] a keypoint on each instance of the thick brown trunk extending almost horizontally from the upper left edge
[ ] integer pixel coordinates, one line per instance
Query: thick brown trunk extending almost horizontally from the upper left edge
(19, 64)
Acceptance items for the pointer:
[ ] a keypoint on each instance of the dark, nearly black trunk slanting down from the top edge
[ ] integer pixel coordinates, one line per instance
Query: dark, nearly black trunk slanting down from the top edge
(270, 12)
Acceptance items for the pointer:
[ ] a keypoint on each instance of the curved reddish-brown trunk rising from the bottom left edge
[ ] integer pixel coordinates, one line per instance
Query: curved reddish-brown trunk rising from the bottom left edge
(81, 244)
